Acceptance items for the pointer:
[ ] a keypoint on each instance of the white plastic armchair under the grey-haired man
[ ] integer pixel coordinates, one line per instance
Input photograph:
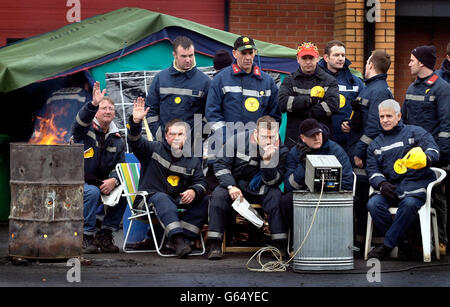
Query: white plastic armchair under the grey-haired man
(426, 213)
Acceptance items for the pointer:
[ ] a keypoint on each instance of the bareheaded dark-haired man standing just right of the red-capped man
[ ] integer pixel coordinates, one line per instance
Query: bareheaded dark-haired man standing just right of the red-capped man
(350, 86)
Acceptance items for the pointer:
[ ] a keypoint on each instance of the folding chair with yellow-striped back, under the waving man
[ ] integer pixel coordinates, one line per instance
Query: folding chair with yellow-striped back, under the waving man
(129, 178)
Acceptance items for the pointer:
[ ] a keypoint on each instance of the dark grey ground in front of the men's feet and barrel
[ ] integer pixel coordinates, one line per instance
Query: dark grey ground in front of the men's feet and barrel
(151, 270)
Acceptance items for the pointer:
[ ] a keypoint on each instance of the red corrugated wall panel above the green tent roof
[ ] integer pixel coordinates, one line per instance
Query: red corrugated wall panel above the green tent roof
(26, 18)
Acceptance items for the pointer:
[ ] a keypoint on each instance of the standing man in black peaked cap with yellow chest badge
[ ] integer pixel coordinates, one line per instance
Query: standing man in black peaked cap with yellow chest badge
(241, 93)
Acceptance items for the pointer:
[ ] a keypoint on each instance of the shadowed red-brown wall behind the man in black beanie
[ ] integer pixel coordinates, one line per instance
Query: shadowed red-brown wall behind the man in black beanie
(413, 32)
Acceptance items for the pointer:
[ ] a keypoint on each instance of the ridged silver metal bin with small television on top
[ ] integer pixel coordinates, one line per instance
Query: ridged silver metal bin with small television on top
(329, 245)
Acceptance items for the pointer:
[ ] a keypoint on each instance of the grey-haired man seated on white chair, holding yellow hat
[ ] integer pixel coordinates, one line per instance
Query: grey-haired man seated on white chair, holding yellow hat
(405, 189)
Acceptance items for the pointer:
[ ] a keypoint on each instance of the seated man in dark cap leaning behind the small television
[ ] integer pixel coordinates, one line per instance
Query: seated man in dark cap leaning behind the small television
(314, 137)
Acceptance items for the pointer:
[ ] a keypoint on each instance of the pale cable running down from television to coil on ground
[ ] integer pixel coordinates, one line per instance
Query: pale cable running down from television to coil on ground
(278, 265)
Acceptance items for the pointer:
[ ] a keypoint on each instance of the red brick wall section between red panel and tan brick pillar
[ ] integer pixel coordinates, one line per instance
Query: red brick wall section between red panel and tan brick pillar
(284, 22)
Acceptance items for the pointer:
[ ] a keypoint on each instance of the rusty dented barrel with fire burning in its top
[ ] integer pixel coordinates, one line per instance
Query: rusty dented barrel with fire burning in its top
(46, 213)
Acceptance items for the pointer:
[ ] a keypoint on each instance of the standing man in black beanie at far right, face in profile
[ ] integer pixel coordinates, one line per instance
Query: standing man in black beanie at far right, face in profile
(427, 104)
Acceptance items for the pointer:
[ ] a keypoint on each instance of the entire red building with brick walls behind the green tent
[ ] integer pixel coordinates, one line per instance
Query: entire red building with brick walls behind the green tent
(400, 25)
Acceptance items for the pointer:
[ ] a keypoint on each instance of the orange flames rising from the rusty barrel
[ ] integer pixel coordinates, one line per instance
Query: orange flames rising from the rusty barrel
(48, 133)
